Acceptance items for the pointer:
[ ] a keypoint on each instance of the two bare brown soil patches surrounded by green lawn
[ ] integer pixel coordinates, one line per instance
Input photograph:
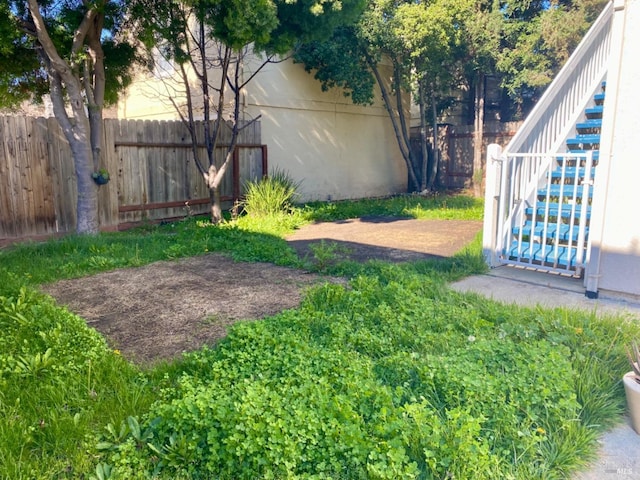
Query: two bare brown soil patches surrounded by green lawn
(159, 311)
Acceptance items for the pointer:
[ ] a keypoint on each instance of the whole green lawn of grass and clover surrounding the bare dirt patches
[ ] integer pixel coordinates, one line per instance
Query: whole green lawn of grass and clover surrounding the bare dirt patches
(395, 376)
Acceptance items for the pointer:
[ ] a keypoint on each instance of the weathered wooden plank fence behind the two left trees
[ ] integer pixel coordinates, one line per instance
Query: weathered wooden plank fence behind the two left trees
(153, 175)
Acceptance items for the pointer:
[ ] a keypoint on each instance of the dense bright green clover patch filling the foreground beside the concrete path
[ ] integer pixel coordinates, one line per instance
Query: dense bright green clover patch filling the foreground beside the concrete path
(393, 377)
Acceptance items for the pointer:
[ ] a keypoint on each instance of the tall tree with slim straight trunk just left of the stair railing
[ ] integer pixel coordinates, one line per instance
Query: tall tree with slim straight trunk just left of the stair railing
(525, 43)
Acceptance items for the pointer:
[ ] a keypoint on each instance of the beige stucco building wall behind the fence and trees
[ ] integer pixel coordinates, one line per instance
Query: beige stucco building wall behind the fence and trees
(334, 149)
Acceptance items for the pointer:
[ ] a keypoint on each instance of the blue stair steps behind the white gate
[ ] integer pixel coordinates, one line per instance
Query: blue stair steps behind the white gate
(553, 230)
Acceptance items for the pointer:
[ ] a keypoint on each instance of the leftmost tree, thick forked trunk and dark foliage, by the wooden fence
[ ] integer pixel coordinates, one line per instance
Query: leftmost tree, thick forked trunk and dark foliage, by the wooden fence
(69, 50)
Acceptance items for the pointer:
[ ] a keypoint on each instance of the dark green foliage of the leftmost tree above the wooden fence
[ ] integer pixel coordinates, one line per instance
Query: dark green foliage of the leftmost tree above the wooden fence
(71, 26)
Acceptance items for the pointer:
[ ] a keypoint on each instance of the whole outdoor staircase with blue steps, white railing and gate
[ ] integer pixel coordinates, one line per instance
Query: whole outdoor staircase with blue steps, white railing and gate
(539, 188)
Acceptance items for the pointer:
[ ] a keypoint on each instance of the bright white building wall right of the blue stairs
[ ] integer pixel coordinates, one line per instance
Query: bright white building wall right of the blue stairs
(615, 262)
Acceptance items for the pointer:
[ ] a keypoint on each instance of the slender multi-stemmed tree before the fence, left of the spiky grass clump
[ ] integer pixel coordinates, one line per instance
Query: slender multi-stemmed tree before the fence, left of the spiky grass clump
(218, 47)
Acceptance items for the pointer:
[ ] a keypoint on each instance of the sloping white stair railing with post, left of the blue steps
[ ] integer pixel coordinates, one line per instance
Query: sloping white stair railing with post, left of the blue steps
(541, 138)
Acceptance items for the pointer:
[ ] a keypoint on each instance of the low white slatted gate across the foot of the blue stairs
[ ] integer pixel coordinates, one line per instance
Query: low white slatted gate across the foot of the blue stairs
(546, 232)
